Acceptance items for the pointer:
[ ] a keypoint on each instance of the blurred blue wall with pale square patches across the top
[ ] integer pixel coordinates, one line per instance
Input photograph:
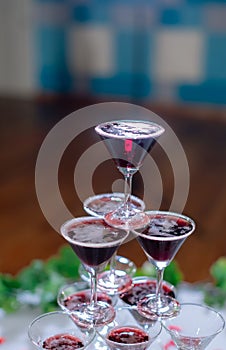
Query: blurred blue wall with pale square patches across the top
(168, 50)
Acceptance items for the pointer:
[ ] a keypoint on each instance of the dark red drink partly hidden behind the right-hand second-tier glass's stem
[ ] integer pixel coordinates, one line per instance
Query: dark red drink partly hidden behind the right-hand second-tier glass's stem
(141, 290)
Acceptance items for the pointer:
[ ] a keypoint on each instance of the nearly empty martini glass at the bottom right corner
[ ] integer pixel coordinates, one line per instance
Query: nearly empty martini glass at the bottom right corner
(195, 326)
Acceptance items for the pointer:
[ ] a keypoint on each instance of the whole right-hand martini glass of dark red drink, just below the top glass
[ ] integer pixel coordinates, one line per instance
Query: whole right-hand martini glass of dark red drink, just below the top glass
(161, 239)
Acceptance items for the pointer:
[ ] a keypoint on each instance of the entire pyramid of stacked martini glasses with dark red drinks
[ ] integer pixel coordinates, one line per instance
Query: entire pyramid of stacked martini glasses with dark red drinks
(110, 309)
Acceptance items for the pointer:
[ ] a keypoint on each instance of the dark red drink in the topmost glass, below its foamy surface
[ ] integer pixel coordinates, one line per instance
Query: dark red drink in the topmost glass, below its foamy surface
(128, 153)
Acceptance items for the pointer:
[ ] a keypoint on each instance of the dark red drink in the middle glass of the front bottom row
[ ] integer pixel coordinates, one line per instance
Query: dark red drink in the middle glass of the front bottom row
(128, 335)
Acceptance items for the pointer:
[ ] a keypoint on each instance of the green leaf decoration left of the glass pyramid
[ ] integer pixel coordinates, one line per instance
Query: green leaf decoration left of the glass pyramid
(40, 278)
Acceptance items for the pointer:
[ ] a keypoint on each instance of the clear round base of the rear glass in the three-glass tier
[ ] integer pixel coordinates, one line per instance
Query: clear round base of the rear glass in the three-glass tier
(114, 282)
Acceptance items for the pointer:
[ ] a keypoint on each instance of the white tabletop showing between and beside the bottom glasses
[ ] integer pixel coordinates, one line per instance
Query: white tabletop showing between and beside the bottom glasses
(13, 328)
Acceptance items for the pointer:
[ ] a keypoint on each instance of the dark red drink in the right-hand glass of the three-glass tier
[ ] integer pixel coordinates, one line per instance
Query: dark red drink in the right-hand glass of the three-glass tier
(163, 227)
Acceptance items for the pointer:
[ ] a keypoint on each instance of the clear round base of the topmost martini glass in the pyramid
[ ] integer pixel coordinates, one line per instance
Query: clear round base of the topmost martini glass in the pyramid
(127, 218)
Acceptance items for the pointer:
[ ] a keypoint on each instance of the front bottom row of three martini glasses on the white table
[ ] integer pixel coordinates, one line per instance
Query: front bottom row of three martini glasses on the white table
(193, 329)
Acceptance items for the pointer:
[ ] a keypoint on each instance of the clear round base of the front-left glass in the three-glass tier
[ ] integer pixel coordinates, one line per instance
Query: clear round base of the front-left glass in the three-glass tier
(85, 315)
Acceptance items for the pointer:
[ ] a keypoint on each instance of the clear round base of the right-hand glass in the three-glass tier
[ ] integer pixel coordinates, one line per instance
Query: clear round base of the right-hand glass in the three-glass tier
(152, 309)
